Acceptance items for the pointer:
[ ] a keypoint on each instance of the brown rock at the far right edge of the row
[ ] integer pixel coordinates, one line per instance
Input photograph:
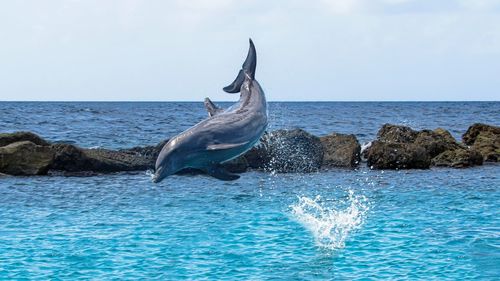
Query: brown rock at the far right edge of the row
(485, 139)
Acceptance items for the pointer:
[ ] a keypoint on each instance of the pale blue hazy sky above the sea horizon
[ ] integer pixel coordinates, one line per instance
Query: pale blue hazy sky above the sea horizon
(316, 50)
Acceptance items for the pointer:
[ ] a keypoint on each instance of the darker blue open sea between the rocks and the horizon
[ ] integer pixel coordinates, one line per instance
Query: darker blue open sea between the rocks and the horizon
(127, 124)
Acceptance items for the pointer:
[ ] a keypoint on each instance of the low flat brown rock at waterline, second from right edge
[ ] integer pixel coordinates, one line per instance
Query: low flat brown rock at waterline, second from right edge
(458, 158)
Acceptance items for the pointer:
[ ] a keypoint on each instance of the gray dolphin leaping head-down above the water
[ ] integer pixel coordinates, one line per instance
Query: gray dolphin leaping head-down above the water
(224, 135)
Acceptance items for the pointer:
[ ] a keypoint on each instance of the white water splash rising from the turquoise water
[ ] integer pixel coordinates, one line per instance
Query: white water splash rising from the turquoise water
(331, 222)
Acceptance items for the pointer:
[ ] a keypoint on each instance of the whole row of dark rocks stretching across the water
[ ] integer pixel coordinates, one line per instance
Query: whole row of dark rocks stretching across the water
(282, 151)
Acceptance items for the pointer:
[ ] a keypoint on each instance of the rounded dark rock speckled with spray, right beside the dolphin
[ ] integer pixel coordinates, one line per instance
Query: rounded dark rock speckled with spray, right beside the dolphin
(286, 151)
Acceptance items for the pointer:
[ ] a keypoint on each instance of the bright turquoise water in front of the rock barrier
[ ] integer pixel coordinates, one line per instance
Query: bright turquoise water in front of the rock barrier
(440, 224)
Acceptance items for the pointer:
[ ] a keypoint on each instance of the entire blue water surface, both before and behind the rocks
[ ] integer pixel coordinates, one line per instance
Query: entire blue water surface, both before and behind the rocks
(340, 224)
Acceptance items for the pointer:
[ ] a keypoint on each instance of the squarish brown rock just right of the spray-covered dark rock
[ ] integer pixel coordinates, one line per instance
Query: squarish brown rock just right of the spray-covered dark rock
(340, 150)
